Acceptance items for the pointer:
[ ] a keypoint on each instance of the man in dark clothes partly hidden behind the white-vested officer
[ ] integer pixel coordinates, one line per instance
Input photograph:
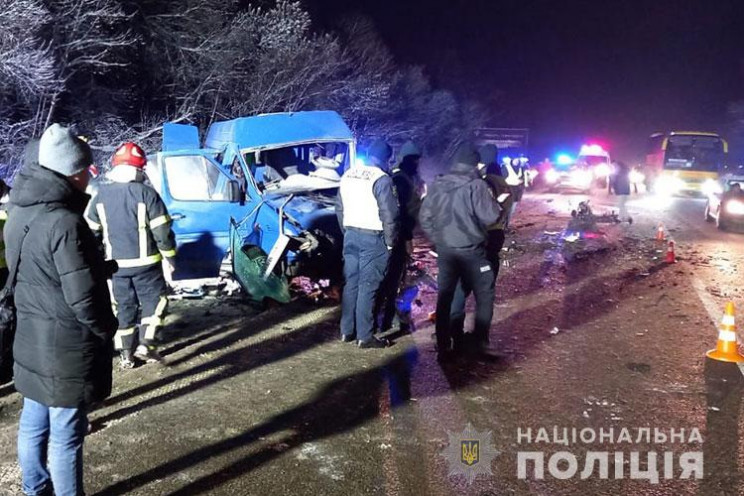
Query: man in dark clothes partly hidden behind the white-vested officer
(409, 189)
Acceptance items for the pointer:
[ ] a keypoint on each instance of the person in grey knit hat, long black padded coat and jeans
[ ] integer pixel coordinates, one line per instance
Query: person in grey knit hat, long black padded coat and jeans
(63, 341)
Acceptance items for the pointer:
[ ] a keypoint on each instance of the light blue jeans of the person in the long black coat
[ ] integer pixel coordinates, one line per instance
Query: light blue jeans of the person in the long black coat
(58, 432)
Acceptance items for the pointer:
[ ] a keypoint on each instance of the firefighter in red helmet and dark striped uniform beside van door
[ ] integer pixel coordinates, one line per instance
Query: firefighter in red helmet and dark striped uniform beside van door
(137, 233)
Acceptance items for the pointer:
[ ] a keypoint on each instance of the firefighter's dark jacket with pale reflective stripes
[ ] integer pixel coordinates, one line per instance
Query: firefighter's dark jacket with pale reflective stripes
(134, 222)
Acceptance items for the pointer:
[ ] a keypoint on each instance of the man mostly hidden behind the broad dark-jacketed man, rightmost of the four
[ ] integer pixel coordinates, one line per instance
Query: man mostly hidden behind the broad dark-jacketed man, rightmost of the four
(496, 235)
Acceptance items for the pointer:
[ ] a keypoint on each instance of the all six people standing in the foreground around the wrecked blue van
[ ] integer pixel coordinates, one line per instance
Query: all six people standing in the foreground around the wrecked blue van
(65, 250)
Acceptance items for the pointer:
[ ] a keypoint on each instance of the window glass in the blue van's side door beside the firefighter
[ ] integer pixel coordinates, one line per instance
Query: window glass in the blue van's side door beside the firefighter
(194, 178)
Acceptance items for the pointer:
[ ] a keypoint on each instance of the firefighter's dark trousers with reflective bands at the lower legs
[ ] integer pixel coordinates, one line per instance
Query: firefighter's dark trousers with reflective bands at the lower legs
(134, 291)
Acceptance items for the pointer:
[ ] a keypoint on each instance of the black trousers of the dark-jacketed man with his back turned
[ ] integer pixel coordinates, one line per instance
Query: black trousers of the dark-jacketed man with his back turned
(472, 270)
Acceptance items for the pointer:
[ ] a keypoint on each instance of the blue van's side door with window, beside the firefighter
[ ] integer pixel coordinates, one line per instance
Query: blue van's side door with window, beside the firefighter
(200, 198)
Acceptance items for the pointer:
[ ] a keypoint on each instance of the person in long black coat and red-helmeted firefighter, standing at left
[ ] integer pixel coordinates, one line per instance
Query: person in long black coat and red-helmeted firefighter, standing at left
(67, 326)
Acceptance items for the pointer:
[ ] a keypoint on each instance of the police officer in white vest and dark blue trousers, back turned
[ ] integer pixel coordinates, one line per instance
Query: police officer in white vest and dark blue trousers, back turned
(368, 213)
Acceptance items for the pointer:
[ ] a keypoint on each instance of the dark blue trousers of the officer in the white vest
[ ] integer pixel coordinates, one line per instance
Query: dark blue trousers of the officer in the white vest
(365, 263)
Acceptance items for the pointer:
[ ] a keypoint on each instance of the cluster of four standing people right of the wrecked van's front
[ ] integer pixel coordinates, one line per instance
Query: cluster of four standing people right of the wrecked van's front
(464, 214)
